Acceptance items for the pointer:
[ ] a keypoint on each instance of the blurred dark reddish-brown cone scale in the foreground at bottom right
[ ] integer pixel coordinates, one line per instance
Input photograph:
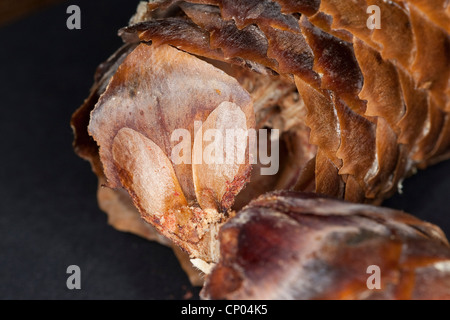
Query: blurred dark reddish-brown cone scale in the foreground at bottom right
(300, 246)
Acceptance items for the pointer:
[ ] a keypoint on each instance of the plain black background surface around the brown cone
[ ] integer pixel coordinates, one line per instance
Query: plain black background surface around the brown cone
(49, 218)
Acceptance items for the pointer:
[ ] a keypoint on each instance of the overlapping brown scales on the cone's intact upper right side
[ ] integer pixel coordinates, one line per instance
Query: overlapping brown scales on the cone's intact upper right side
(358, 76)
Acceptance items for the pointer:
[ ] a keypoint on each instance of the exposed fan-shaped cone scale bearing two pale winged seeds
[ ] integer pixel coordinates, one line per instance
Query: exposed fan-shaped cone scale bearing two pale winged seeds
(133, 125)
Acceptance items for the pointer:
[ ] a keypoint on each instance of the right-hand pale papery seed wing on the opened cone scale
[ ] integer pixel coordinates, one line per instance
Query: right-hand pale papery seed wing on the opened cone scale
(221, 172)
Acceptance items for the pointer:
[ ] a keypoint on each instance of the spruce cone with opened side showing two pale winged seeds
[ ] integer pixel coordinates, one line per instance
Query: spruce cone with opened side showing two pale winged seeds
(358, 110)
